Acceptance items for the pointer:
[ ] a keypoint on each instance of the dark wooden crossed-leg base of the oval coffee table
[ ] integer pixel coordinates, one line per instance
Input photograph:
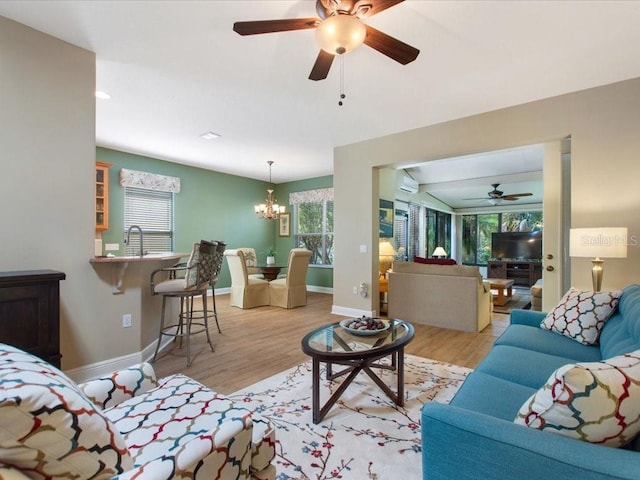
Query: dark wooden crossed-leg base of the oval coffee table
(353, 367)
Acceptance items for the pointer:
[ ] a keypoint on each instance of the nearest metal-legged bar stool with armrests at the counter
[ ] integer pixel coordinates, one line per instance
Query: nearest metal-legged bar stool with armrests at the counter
(197, 277)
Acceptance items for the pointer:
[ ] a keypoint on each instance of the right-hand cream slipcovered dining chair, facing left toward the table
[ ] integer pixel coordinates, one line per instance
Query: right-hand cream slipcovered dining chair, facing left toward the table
(291, 291)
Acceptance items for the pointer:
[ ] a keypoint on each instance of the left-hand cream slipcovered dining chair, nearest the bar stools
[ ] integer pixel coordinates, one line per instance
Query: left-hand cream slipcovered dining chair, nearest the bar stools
(246, 292)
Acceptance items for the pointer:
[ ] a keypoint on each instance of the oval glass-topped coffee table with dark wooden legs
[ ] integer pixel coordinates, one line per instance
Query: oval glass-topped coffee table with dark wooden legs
(357, 352)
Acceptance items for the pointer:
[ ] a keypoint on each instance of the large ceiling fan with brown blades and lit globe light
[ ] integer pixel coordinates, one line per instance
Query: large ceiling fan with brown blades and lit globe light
(338, 30)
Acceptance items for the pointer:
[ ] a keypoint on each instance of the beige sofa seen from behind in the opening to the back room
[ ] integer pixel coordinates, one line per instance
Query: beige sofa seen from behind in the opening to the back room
(448, 296)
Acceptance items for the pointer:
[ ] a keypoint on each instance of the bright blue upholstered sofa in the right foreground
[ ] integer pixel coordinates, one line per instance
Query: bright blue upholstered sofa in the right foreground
(474, 437)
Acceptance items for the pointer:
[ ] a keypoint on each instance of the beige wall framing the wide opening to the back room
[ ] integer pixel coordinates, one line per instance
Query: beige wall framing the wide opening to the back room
(603, 123)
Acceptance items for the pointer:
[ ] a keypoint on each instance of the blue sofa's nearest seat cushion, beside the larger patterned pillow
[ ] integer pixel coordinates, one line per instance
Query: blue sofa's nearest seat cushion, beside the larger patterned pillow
(492, 396)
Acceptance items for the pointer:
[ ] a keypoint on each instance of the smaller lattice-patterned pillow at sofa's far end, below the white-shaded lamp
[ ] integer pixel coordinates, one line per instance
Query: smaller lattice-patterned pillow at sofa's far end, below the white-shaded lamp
(580, 315)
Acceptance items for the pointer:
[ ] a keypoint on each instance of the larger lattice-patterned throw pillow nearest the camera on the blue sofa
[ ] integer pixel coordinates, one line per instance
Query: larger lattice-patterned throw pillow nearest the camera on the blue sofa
(596, 402)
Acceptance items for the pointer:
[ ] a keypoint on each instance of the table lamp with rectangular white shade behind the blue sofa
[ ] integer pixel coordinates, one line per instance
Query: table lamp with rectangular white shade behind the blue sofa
(598, 243)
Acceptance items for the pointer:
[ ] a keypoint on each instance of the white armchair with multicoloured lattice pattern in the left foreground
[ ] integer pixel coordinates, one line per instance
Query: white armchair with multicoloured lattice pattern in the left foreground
(126, 425)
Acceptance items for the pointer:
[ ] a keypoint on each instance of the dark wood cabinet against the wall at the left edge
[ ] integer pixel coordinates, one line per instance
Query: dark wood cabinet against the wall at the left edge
(30, 312)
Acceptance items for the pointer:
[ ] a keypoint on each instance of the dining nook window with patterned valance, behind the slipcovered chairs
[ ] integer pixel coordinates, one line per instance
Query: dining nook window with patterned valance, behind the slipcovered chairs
(313, 224)
